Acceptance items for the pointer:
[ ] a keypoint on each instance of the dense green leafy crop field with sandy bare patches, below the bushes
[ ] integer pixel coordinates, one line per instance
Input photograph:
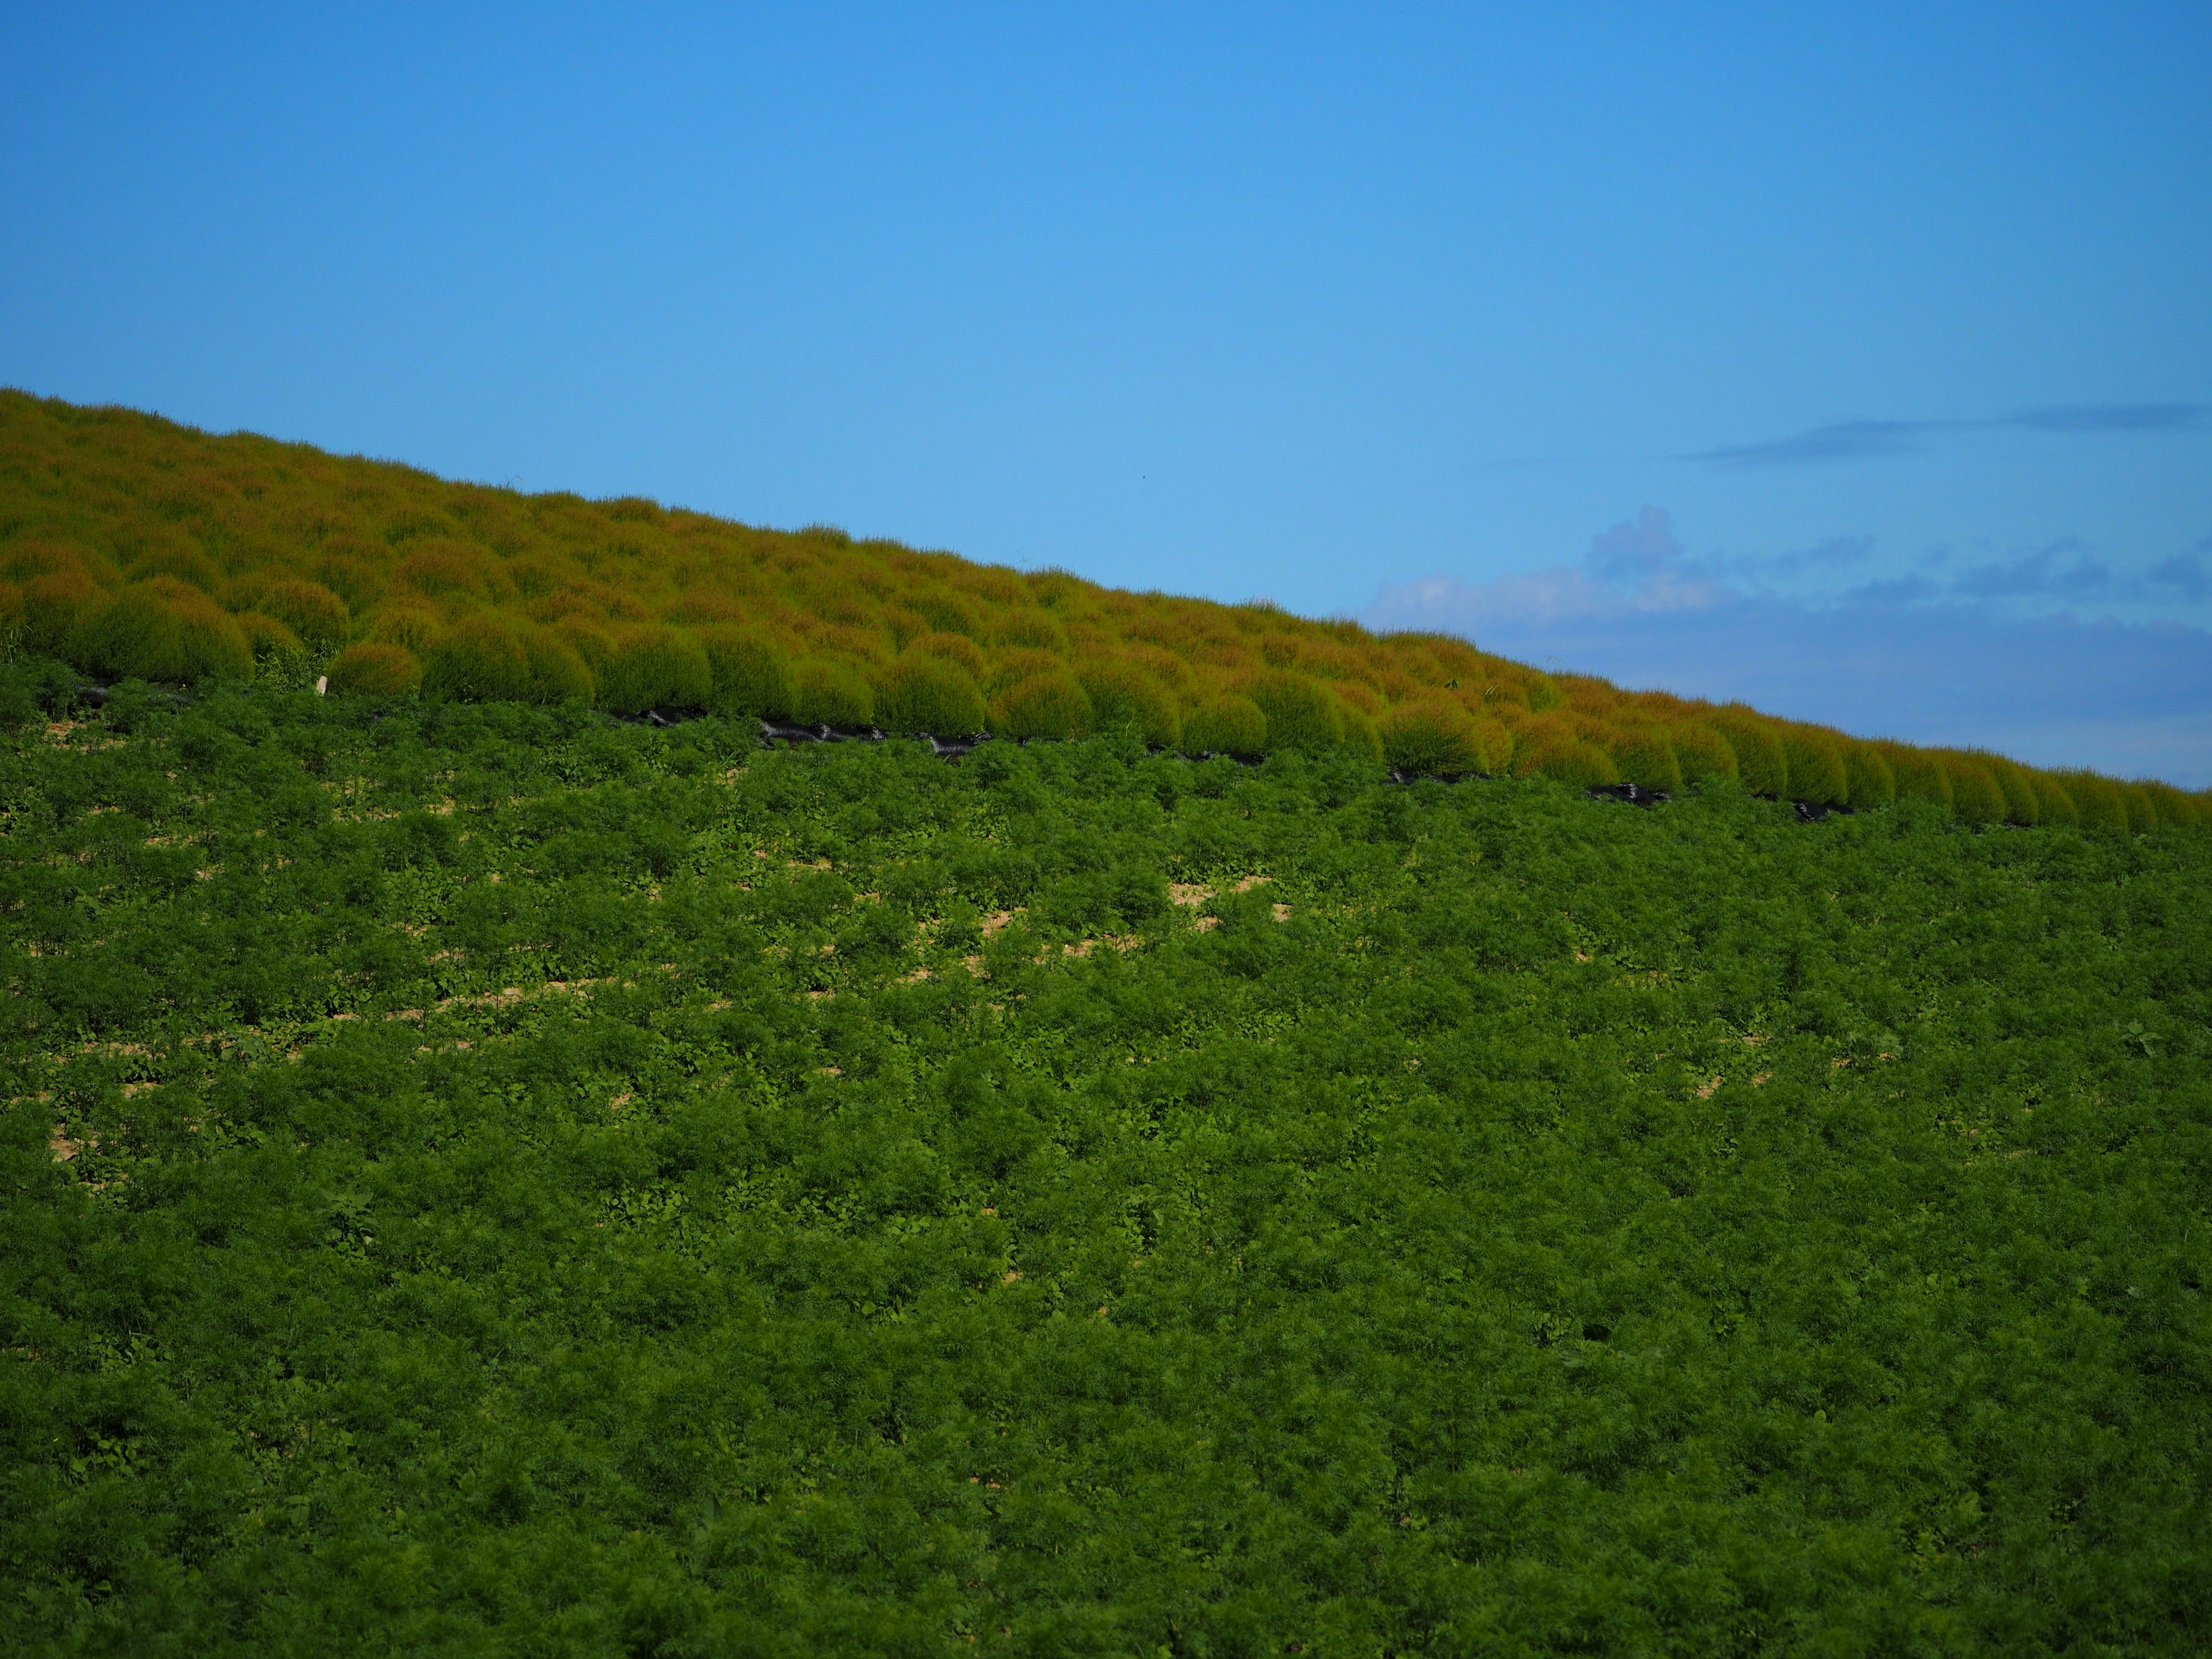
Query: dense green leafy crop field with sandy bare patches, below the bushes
(494, 1180)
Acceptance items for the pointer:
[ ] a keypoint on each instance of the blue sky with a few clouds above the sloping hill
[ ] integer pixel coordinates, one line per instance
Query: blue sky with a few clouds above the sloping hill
(1857, 362)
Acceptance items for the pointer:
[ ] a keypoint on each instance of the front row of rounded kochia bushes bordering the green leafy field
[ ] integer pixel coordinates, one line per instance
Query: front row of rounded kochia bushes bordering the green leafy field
(943, 685)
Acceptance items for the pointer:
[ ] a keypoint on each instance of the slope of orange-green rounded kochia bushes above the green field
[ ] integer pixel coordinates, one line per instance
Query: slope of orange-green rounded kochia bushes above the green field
(134, 547)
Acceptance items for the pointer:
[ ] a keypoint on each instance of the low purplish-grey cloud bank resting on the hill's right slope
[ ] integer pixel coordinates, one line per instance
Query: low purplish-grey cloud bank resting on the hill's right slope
(1959, 651)
